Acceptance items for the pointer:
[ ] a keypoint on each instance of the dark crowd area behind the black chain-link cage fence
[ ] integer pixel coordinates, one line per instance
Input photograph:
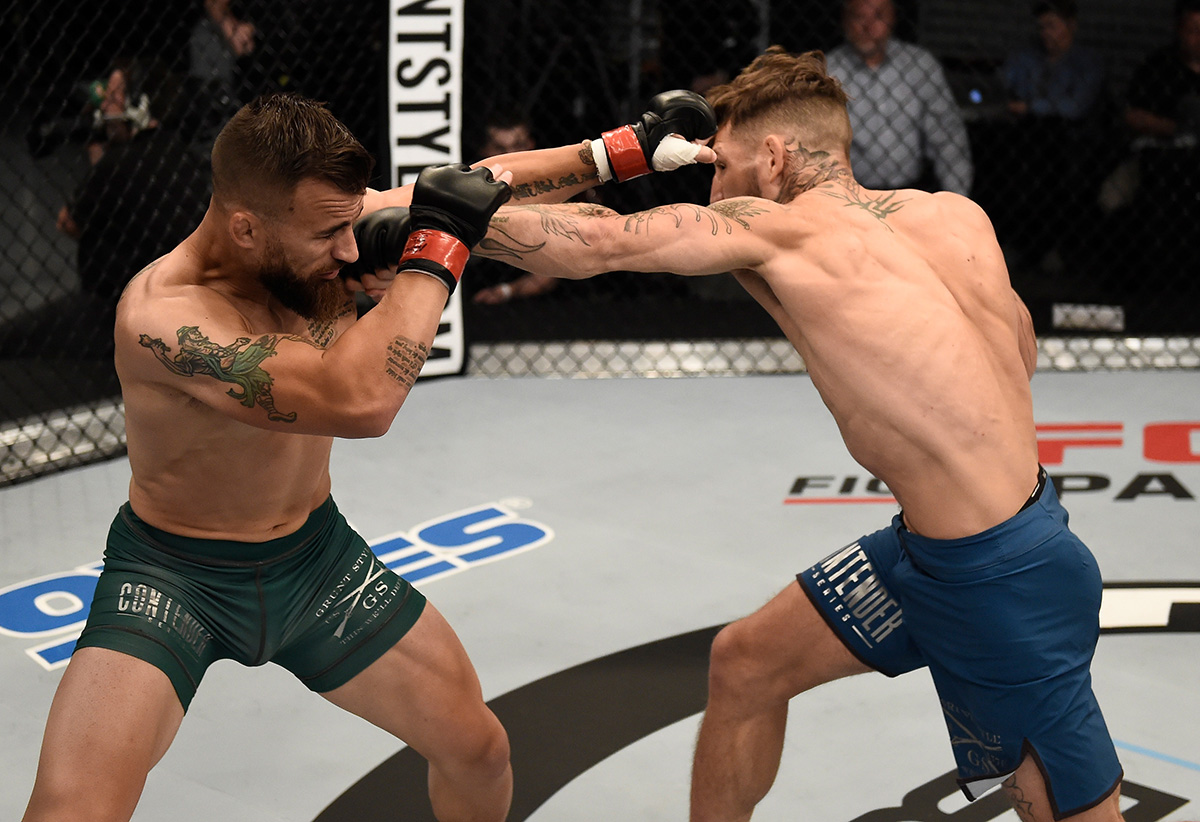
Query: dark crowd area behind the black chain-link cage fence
(1099, 224)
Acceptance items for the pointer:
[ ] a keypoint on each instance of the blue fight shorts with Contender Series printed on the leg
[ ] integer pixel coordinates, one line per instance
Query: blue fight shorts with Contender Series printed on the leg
(1007, 622)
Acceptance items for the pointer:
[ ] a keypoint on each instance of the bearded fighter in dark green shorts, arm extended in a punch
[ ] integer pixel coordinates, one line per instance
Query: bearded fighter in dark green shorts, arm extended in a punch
(241, 358)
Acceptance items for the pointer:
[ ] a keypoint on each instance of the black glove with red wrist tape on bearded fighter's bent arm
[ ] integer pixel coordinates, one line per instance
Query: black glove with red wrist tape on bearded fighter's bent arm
(451, 211)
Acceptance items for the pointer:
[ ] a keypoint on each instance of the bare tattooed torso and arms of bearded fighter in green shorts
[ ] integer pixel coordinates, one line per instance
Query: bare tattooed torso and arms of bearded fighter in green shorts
(212, 419)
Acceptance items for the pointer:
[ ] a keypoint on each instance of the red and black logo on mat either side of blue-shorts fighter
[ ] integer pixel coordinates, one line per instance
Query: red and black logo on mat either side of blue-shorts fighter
(1166, 446)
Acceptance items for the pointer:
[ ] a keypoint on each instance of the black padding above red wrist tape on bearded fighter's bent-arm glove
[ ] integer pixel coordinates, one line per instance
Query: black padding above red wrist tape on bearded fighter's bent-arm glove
(458, 200)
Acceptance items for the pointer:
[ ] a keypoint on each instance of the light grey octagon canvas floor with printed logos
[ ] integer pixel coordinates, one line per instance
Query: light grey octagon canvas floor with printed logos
(586, 538)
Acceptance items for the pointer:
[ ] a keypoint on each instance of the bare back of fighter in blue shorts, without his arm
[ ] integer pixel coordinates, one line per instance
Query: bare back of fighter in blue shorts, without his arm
(899, 304)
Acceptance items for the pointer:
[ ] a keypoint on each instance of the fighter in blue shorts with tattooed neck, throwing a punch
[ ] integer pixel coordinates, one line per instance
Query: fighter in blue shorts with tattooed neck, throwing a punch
(901, 307)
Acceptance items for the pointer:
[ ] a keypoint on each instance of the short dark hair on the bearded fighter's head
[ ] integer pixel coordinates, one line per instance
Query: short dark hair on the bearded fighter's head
(279, 140)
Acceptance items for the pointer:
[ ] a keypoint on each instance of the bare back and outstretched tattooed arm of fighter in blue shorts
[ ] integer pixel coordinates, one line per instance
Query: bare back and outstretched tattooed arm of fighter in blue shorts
(899, 304)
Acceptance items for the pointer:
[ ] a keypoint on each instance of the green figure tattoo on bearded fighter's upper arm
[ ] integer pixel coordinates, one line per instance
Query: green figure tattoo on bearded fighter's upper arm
(238, 363)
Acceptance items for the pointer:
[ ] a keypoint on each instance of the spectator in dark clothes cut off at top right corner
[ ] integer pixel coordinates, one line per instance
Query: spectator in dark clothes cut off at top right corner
(1165, 93)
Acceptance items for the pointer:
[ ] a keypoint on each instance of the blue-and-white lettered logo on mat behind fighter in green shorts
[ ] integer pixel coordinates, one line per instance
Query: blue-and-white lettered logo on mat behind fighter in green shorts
(53, 609)
